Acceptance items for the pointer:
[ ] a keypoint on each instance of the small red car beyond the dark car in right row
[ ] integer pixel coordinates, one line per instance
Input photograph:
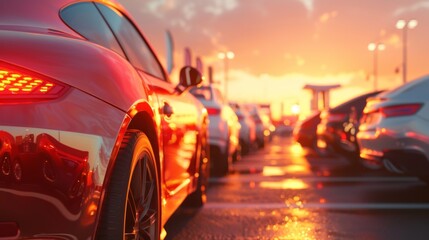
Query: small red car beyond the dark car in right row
(305, 130)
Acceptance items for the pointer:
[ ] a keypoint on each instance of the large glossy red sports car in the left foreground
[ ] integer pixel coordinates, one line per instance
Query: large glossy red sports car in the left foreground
(94, 138)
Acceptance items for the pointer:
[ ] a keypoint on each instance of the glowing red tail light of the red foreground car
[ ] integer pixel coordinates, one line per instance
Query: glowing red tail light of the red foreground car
(18, 84)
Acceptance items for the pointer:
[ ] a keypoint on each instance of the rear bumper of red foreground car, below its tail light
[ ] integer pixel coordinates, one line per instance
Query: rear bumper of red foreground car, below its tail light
(53, 162)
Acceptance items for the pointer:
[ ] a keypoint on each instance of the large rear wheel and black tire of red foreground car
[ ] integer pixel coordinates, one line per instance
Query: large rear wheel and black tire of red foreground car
(131, 207)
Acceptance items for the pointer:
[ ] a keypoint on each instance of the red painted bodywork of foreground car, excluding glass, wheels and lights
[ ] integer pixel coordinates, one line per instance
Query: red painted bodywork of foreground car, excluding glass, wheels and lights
(56, 154)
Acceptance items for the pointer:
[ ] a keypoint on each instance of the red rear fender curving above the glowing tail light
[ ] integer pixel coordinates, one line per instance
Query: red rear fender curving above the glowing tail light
(77, 63)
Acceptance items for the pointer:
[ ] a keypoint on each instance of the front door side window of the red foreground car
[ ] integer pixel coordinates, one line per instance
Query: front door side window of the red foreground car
(136, 49)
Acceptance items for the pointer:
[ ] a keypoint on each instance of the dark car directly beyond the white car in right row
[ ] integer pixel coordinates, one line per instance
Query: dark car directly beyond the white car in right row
(331, 136)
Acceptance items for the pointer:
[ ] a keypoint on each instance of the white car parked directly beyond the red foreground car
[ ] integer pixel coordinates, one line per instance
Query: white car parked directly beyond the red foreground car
(224, 129)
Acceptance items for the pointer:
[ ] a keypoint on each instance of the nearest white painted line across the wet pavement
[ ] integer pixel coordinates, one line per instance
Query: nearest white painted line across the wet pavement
(322, 206)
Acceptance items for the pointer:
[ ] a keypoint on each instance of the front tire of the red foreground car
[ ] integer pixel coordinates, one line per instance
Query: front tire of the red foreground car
(199, 197)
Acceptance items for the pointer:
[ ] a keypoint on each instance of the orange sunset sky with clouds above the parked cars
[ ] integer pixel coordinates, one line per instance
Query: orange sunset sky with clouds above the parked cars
(281, 45)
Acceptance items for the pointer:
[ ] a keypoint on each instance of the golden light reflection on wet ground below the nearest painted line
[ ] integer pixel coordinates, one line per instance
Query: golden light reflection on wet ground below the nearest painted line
(285, 223)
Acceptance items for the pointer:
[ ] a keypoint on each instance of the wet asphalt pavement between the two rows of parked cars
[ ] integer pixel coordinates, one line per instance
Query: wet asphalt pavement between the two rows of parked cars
(285, 192)
